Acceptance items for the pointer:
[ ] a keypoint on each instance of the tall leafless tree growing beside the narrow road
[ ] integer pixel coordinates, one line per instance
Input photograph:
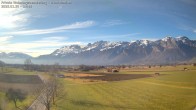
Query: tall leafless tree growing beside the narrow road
(53, 89)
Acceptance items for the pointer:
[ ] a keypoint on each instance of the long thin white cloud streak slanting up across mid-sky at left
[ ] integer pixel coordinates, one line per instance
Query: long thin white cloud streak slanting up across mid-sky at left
(76, 25)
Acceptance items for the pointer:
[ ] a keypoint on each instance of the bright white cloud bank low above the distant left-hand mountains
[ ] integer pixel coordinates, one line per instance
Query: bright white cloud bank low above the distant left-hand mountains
(36, 48)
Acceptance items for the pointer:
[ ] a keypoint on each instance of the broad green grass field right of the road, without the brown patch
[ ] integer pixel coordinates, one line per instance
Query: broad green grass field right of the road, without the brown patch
(175, 90)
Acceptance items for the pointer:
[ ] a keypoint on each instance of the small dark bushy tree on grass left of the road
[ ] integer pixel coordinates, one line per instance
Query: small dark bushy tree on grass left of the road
(15, 96)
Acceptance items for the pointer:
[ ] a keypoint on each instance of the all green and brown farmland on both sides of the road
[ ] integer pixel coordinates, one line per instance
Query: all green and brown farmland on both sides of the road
(132, 88)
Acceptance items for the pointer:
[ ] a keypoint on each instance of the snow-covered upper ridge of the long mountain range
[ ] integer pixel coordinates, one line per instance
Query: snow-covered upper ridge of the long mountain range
(100, 46)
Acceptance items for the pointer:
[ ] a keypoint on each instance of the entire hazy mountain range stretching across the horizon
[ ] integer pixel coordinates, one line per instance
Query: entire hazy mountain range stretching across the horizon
(168, 50)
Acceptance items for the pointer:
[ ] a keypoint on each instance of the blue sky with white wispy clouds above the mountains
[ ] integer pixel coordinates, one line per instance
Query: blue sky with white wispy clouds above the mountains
(44, 28)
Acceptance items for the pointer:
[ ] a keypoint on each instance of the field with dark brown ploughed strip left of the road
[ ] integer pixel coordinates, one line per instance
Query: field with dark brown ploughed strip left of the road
(16, 79)
